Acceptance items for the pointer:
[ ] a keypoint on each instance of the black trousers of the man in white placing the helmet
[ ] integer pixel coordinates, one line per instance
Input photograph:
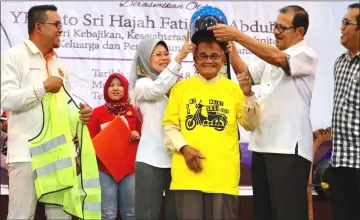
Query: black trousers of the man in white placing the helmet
(280, 184)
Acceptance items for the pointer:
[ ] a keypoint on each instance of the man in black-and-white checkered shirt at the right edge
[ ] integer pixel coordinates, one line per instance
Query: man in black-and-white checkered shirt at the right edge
(345, 178)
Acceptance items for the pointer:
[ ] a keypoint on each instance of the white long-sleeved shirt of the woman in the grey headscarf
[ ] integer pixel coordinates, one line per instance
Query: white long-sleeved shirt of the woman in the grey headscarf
(150, 96)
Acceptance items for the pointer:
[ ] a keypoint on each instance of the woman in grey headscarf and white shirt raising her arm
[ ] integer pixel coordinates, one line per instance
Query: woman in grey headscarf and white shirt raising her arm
(152, 75)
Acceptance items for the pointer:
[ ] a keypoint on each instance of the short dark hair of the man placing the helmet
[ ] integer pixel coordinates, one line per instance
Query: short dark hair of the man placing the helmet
(301, 17)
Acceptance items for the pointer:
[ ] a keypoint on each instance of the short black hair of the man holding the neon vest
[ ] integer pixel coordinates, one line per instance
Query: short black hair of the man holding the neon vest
(37, 14)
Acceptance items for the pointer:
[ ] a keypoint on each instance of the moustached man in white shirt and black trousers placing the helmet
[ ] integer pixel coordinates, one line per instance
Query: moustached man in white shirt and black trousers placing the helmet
(282, 144)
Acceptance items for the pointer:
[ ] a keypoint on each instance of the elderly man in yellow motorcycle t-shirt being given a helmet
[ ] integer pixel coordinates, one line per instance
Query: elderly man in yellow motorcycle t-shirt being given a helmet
(200, 122)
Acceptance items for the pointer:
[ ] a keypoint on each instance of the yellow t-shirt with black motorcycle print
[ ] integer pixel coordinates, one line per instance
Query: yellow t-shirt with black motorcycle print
(207, 113)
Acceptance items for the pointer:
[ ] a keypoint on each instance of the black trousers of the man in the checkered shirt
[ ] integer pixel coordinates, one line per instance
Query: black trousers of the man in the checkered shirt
(345, 193)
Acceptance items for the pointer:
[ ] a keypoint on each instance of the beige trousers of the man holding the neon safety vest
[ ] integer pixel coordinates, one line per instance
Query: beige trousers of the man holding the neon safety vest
(22, 195)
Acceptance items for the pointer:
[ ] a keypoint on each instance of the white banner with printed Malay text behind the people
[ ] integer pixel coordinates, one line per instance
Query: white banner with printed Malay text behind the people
(100, 38)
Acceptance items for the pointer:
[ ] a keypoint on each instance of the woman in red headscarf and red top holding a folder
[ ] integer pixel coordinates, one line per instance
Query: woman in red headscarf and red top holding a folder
(115, 194)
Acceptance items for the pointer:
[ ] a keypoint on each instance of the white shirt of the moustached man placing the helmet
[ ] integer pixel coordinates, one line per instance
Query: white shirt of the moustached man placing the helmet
(284, 101)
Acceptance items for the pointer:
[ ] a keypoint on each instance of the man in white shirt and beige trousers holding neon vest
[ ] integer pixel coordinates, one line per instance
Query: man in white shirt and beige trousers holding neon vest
(29, 70)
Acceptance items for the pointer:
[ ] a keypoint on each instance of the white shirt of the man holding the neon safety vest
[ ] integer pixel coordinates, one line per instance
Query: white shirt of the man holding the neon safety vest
(23, 71)
